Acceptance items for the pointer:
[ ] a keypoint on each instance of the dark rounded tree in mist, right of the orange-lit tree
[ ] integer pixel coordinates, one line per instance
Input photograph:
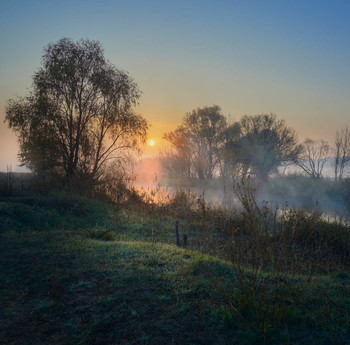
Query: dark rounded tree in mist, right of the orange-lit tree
(261, 144)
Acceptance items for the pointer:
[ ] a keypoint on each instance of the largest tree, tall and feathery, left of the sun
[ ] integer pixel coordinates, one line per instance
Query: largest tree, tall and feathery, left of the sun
(79, 114)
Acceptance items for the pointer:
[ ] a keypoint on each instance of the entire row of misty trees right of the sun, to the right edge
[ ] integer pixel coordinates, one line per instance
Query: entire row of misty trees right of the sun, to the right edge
(207, 145)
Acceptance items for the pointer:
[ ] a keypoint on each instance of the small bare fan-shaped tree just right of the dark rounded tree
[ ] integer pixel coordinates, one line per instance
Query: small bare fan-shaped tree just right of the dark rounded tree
(314, 156)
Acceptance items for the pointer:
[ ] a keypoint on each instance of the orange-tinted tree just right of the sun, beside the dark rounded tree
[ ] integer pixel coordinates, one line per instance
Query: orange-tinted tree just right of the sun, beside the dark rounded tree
(198, 140)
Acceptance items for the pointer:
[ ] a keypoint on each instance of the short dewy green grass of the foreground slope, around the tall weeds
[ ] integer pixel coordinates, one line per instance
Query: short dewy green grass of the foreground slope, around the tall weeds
(60, 286)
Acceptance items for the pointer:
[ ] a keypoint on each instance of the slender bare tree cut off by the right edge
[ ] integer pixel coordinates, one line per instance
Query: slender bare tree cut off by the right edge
(342, 152)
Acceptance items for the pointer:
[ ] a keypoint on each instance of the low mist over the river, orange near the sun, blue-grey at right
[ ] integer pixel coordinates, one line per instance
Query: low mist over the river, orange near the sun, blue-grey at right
(291, 187)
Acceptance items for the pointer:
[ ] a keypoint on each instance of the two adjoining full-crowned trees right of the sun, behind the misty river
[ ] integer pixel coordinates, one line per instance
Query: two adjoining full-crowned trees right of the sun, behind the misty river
(205, 145)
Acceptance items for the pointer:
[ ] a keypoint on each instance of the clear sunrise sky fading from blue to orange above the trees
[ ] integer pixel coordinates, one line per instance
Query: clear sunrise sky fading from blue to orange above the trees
(287, 57)
